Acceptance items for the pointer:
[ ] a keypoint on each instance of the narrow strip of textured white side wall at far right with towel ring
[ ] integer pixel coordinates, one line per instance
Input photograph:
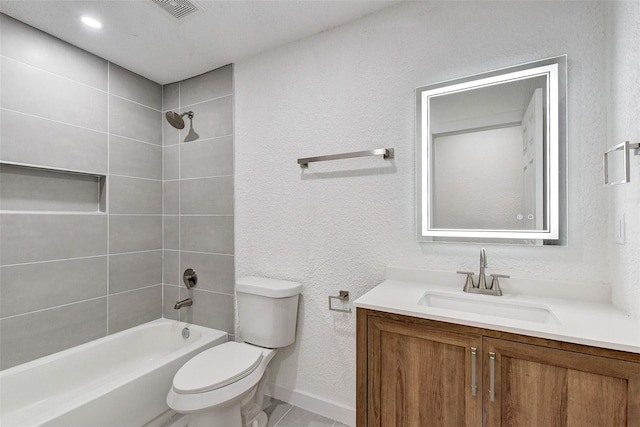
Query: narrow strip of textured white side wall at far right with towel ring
(624, 110)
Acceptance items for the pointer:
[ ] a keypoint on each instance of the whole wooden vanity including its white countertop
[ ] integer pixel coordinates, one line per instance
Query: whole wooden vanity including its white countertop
(424, 366)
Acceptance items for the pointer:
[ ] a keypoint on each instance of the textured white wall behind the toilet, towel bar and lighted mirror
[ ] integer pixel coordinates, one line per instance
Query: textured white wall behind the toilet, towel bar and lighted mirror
(338, 224)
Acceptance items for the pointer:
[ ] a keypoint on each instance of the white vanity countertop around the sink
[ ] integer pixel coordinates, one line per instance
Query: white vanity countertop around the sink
(581, 322)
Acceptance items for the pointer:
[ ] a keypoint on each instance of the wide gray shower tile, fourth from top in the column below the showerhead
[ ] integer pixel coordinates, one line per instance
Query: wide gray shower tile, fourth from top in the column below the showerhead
(213, 196)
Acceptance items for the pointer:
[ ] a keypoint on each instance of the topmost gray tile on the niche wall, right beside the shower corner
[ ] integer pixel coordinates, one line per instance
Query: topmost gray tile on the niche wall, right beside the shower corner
(134, 87)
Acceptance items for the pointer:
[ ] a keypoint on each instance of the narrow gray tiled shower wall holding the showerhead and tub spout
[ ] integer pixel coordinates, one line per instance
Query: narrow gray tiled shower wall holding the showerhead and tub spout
(198, 199)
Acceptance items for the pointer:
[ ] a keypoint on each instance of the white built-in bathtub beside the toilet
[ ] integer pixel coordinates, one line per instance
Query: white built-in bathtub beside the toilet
(119, 380)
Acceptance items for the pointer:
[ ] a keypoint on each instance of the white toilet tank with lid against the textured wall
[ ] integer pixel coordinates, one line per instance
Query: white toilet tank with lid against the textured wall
(267, 311)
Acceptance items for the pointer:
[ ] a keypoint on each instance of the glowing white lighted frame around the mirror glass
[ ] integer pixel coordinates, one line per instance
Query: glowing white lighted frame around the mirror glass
(555, 152)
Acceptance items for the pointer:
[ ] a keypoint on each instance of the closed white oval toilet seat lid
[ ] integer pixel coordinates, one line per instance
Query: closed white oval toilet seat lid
(217, 367)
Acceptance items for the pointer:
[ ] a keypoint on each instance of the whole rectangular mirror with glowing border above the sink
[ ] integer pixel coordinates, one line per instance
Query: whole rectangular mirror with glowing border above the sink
(491, 149)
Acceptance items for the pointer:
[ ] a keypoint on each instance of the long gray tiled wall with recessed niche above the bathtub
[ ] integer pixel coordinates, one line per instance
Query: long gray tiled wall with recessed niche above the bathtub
(68, 276)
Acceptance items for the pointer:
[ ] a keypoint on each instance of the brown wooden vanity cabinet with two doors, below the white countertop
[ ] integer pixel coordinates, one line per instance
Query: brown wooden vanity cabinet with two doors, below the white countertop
(414, 372)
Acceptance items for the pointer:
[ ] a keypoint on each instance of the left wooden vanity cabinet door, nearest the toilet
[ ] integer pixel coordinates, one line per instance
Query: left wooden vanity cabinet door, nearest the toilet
(421, 376)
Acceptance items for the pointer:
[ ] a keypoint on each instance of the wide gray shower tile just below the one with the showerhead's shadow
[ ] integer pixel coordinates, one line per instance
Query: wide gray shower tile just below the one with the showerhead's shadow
(209, 157)
